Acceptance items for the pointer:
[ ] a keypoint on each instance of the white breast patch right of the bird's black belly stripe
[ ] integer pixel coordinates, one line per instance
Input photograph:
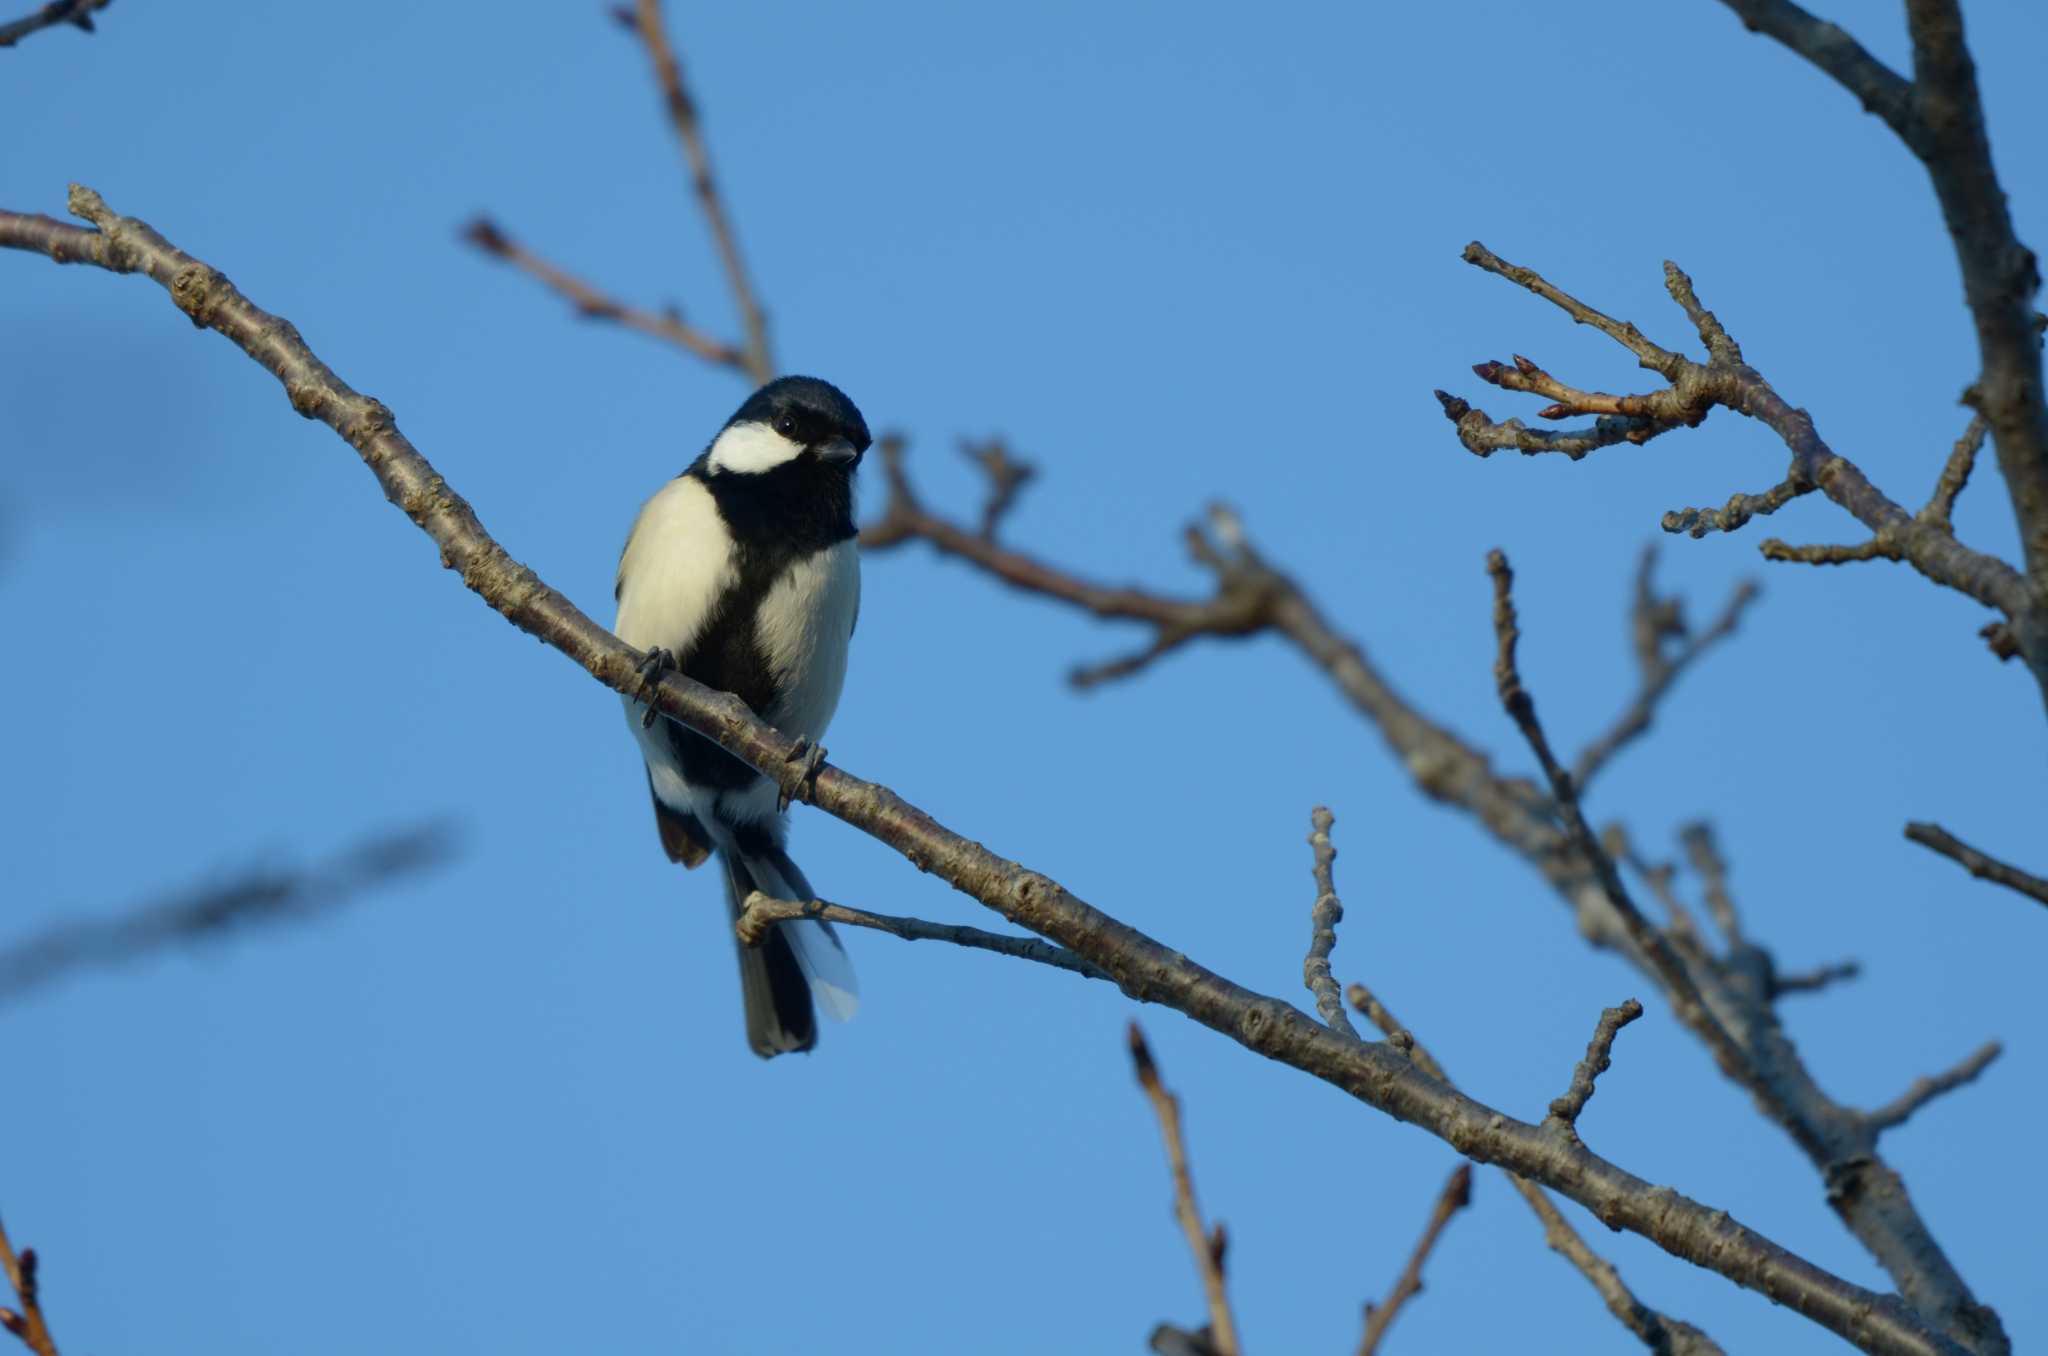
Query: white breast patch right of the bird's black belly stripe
(804, 628)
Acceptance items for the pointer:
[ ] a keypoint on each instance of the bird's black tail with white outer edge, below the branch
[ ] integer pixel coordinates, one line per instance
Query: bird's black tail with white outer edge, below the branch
(794, 964)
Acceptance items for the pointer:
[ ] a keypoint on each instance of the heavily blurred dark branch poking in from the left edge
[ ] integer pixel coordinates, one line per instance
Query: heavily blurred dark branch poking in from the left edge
(208, 913)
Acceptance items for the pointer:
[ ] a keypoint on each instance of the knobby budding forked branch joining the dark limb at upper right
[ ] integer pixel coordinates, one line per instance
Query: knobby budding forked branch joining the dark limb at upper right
(1693, 390)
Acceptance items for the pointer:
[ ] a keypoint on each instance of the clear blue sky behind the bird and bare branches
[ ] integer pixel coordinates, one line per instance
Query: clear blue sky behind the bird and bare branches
(1175, 253)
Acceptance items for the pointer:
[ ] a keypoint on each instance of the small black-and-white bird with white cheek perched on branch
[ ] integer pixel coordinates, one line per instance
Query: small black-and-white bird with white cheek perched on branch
(744, 575)
